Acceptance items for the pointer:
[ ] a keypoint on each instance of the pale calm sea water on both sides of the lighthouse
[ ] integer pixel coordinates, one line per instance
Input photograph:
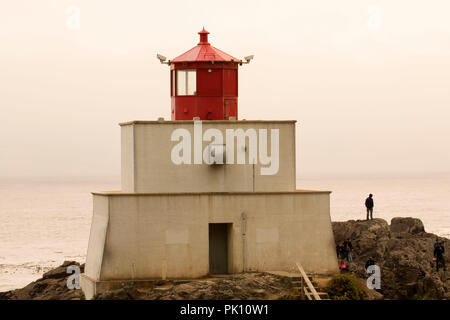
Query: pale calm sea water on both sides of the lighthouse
(43, 223)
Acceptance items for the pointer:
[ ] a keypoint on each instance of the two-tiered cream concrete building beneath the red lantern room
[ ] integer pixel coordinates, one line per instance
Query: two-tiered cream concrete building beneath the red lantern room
(189, 220)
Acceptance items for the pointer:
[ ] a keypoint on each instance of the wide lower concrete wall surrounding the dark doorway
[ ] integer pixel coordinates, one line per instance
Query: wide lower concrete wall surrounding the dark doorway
(158, 235)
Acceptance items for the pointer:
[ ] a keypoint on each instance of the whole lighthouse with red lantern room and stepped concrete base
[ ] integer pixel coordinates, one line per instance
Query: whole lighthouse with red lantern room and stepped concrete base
(205, 193)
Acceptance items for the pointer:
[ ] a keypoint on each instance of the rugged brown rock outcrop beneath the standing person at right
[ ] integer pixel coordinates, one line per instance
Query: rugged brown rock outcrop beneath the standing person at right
(404, 253)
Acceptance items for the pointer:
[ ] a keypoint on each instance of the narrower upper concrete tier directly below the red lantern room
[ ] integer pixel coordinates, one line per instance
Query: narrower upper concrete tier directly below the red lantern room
(147, 165)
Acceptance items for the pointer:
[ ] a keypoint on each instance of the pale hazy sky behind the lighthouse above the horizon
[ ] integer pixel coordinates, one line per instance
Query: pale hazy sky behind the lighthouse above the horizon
(367, 81)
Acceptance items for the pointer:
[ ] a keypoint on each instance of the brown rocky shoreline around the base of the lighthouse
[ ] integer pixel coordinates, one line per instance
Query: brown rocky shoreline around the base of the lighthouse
(403, 251)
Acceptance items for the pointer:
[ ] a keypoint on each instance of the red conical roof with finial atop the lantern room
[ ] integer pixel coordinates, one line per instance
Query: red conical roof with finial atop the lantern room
(204, 51)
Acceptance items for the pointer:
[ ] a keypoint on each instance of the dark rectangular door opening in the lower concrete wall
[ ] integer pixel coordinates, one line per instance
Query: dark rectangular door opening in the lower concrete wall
(218, 248)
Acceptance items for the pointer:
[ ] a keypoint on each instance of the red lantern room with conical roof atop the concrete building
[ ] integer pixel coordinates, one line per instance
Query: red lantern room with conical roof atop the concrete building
(204, 82)
